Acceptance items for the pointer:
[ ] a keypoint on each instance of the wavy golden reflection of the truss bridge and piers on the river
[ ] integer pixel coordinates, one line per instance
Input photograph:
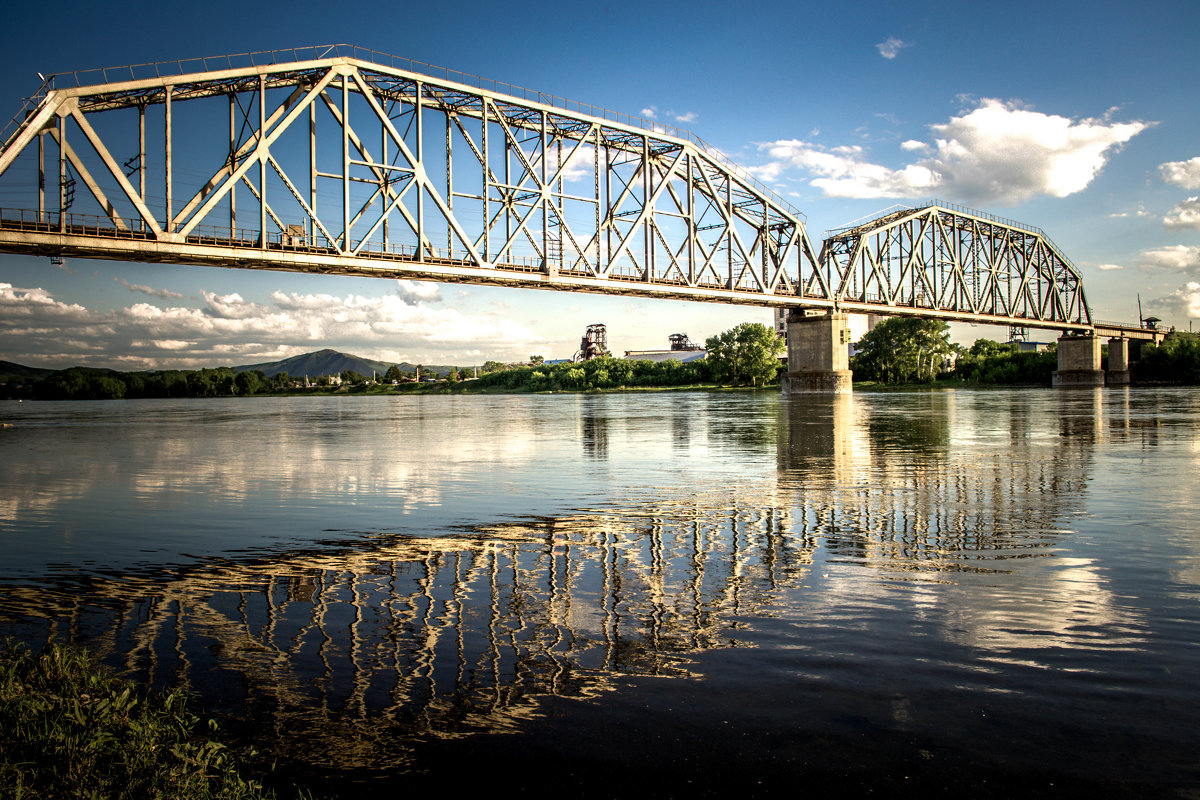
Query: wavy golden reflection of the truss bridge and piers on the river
(347, 657)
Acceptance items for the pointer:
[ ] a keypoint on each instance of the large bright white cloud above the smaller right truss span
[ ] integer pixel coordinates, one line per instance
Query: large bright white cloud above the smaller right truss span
(999, 153)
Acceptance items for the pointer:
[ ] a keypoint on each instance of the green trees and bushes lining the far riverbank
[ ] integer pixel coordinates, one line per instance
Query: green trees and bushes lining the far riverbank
(898, 353)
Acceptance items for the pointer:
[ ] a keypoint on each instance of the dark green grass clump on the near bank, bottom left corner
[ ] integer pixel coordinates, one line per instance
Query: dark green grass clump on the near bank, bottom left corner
(71, 730)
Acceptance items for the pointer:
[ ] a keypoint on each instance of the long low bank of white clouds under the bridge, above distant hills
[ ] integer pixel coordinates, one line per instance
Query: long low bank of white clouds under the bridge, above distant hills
(227, 329)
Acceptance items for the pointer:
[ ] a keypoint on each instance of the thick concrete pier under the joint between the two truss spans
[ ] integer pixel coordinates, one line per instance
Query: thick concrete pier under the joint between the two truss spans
(818, 354)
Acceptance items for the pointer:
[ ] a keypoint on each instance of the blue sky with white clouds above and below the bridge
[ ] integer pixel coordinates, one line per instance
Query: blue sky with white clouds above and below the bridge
(1081, 118)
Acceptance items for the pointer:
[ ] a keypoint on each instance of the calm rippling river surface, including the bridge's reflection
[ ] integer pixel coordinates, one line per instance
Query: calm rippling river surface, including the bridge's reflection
(952, 593)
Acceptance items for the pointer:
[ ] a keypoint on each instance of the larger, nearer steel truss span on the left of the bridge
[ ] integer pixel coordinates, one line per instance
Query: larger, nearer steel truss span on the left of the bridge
(350, 167)
